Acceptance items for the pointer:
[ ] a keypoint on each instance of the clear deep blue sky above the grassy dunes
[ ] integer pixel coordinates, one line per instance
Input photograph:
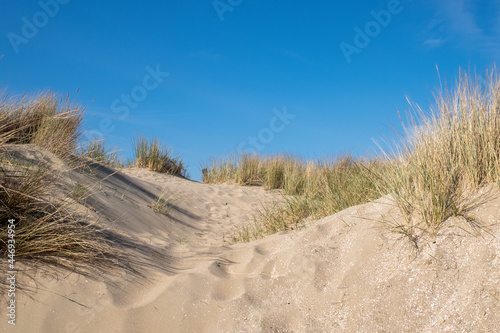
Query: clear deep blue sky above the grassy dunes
(211, 77)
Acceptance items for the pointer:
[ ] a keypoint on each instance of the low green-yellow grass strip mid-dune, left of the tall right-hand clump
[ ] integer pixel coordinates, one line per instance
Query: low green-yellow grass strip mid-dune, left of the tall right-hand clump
(311, 190)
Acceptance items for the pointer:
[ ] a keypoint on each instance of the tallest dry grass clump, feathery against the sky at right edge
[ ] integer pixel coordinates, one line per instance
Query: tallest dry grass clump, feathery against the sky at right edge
(447, 155)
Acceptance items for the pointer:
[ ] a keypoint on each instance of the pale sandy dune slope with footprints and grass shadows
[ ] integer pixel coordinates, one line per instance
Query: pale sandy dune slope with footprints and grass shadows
(342, 273)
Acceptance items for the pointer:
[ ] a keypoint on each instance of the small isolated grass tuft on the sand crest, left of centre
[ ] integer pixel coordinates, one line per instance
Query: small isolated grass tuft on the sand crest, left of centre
(155, 157)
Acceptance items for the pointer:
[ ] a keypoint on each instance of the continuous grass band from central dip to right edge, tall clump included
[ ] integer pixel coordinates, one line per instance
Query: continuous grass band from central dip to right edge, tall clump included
(441, 159)
